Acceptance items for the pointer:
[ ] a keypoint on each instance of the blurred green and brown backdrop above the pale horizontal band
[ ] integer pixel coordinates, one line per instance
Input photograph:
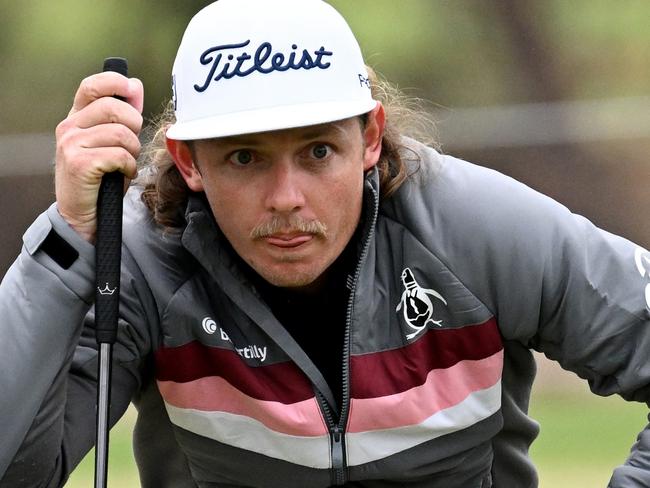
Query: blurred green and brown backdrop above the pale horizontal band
(456, 53)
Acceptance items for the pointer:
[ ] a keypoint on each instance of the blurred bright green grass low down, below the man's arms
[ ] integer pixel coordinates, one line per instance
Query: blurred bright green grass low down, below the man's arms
(582, 439)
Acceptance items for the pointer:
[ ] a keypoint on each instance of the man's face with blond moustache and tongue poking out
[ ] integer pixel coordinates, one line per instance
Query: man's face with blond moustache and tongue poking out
(288, 201)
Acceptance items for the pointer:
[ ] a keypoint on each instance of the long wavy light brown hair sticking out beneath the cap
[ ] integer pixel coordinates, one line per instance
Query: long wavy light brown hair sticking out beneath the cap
(165, 192)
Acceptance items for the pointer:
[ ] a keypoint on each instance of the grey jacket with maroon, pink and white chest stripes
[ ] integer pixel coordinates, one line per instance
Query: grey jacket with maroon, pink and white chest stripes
(461, 274)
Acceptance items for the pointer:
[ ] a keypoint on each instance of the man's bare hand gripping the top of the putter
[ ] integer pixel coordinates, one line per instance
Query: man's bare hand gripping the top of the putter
(100, 135)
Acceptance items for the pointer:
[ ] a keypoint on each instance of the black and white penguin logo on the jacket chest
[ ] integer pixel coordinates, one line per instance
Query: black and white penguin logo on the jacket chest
(416, 304)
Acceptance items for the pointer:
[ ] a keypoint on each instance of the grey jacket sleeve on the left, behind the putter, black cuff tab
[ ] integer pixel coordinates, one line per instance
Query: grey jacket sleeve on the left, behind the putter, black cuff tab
(48, 358)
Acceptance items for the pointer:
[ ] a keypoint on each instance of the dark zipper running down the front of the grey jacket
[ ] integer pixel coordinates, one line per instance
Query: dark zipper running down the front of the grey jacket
(337, 429)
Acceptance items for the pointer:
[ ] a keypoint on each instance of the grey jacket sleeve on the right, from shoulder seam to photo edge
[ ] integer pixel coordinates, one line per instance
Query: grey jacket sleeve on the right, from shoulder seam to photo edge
(557, 284)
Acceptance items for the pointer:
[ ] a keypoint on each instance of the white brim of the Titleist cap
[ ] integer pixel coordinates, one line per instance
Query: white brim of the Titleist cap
(268, 119)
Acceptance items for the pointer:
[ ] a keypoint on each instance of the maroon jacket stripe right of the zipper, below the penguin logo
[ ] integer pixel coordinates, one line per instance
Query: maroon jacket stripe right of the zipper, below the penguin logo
(397, 370)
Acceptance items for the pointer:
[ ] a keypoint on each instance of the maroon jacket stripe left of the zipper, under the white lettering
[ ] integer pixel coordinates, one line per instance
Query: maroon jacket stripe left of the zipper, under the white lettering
(281, 382)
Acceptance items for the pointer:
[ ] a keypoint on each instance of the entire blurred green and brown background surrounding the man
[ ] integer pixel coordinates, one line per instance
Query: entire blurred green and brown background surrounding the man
(554, 93)
